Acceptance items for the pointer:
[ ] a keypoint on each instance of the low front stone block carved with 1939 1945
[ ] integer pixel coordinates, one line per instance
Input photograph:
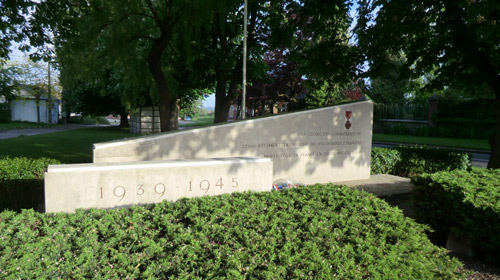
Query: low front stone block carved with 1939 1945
(111, 185)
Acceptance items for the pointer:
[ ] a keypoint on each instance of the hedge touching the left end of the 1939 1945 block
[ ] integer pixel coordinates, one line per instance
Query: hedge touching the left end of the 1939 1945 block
(21, 182)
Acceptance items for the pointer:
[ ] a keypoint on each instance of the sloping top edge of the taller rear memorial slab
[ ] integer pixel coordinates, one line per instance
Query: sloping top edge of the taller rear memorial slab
(240, 122)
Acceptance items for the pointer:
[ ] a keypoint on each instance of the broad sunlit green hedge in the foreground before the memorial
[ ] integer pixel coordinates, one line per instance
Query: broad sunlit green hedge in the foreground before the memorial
(320, 232)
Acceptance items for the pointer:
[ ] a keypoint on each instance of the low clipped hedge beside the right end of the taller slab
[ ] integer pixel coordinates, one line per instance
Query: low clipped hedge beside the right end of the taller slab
(408, 161)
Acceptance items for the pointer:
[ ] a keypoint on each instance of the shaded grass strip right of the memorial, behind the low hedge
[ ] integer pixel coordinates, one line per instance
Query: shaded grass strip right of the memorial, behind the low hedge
(476, 144)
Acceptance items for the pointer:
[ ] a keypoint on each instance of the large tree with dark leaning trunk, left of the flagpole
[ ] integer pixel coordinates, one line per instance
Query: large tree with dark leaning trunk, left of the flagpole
(148, 40)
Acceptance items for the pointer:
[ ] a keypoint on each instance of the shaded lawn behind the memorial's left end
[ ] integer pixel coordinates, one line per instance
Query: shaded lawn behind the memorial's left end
(72, 146)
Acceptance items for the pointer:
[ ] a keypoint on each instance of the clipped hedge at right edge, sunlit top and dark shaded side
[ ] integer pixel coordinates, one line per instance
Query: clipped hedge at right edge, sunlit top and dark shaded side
(467, 203)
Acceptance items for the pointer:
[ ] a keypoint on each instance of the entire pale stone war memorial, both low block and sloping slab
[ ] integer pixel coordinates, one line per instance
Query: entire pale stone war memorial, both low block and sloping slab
(331, 144)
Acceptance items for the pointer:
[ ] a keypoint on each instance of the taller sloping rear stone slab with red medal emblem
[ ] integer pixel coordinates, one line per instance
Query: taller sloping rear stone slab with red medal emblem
(323, 145)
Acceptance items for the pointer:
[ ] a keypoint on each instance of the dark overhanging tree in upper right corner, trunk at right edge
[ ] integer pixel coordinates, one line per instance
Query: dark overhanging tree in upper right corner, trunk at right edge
(458, 38)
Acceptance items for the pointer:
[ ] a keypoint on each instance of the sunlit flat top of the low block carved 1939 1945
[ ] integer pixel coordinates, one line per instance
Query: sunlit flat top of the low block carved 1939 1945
(153, 164)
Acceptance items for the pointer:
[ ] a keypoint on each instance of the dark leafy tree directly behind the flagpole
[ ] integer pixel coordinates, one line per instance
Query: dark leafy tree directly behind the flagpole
(223, 51)
